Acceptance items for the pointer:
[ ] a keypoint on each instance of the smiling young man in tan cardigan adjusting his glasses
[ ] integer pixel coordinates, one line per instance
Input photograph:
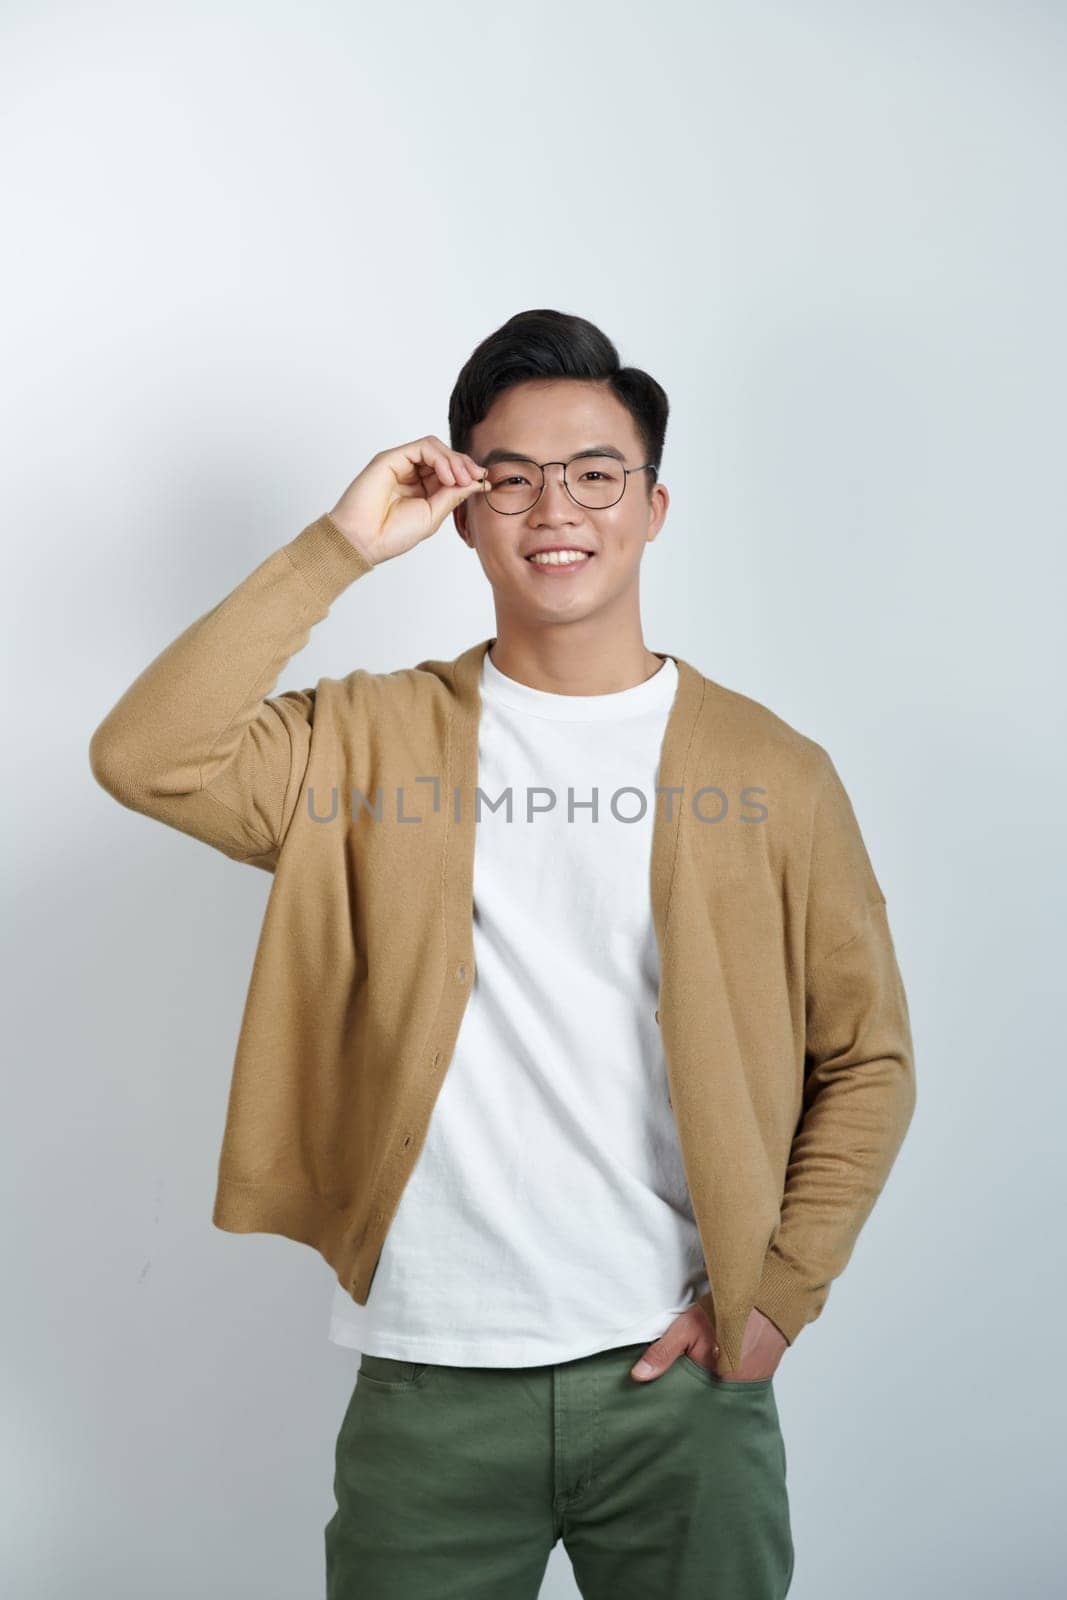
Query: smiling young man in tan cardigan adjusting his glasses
(575, 1039)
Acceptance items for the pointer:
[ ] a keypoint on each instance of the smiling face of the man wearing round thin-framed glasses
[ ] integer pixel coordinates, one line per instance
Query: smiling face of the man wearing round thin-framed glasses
(554, 420)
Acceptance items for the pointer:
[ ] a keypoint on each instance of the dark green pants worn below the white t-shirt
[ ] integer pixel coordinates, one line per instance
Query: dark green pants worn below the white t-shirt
(457, 1482)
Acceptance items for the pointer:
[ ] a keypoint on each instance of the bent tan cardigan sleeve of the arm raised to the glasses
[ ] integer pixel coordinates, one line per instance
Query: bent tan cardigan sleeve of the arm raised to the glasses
(198, 742)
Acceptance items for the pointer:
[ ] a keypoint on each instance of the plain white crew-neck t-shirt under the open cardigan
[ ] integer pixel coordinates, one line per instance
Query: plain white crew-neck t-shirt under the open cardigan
(548, 1215)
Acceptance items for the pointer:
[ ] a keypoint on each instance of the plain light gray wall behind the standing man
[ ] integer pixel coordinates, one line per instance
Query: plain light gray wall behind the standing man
(250, 246)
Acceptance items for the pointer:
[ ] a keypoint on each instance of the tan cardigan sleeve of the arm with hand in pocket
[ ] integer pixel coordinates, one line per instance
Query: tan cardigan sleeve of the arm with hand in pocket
(860, 1071)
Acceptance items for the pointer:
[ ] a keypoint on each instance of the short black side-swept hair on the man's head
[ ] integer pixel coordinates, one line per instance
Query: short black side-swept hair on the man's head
(554, 345)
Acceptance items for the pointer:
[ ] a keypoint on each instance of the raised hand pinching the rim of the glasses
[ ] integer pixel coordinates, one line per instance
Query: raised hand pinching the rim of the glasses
(404, 495)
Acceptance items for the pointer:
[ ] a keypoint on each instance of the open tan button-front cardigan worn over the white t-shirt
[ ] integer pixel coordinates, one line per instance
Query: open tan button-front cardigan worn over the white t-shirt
(783, 1014)
